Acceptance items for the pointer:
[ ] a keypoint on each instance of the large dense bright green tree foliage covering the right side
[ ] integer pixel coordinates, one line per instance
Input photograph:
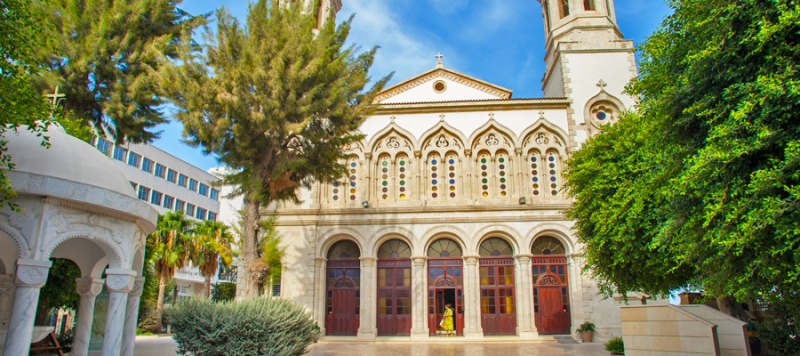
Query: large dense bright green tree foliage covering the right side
(699, 186)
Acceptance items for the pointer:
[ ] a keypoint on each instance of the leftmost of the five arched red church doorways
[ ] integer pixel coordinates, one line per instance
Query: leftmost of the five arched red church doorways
(342, 293)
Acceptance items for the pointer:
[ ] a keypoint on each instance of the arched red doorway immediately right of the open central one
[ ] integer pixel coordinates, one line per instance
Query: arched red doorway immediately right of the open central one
(498, 316)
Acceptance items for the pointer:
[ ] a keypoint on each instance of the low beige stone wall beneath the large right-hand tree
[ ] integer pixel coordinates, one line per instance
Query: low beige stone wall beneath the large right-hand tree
(682, 330)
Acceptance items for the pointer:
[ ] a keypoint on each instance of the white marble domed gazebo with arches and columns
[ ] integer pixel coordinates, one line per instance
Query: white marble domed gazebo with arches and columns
(72, 203)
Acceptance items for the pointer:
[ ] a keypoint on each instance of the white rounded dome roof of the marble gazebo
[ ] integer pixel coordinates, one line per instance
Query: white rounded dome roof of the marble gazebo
(67, 158)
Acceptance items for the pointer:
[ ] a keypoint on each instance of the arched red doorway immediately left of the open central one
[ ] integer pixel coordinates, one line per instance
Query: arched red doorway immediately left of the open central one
(394, 288)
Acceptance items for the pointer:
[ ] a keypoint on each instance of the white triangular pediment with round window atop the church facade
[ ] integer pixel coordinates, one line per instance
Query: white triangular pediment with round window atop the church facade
(441, 84)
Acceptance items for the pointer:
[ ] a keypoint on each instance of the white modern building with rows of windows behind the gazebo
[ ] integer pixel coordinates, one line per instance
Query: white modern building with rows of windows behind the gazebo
(168, 183)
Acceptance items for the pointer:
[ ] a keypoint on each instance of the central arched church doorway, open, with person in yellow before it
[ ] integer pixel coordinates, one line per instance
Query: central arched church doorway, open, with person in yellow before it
(445, 284)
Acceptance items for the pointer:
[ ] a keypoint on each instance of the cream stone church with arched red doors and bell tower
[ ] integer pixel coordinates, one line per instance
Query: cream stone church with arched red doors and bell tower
(455, 196)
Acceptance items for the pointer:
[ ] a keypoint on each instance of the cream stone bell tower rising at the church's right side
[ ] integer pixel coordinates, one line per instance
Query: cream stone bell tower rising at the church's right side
(588, 61)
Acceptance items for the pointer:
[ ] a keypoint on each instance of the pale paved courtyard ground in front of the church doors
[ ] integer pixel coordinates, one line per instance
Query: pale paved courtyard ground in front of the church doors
(166, 347)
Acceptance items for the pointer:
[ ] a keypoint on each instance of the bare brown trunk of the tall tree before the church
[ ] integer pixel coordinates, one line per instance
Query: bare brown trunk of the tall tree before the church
(250, 247)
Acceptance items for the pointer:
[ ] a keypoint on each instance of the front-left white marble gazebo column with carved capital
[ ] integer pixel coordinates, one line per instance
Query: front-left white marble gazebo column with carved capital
(30, 277)
